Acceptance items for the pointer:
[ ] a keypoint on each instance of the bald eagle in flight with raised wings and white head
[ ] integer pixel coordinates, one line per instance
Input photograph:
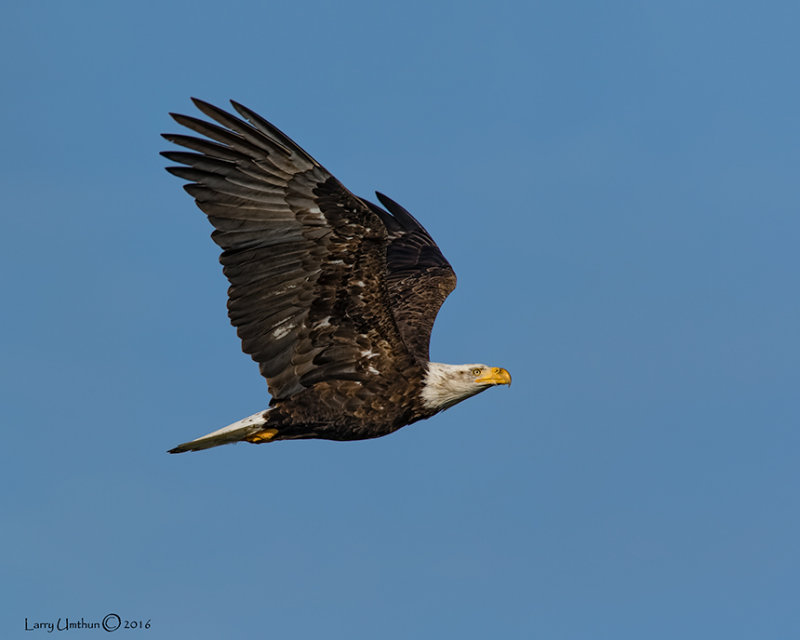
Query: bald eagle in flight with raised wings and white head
(333, 296)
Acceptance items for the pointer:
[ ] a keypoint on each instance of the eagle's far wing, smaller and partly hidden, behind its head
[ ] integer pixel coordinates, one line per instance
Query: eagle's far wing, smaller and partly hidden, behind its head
(418, 276)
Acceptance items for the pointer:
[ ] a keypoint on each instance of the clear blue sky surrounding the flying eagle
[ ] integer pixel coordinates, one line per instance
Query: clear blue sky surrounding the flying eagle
(616, 185)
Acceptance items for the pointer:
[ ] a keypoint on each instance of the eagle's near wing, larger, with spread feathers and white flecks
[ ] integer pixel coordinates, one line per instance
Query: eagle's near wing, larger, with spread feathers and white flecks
(305, 258)
